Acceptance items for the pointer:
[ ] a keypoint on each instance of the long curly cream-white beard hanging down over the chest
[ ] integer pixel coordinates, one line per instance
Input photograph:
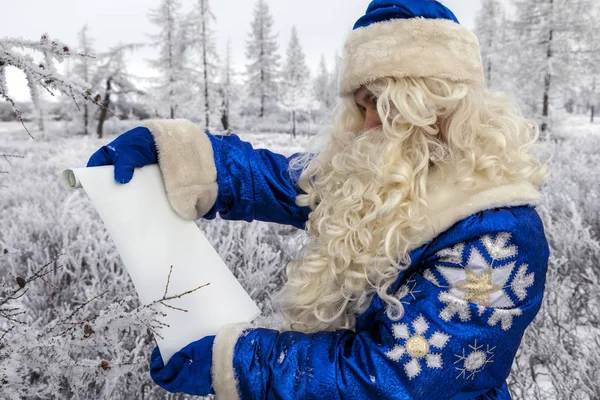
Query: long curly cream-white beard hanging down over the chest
(357, 205)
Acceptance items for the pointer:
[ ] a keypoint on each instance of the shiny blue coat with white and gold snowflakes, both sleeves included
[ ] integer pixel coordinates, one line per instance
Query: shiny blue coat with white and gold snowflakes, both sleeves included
(468, 296)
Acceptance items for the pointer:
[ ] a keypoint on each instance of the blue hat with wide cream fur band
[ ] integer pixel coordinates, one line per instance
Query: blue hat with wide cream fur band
(416, 38)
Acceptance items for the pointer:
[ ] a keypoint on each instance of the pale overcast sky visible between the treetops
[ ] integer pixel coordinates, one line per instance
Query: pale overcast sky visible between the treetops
(322, 25)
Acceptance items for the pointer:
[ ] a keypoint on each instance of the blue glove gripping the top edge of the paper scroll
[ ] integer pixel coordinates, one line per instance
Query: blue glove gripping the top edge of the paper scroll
(133, 149)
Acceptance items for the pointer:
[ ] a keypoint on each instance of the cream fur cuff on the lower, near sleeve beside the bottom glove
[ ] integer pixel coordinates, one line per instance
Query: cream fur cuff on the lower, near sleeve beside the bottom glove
(223, 374)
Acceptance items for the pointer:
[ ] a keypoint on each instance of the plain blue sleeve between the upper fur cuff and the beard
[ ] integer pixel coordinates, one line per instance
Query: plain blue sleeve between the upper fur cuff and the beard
(255, 184)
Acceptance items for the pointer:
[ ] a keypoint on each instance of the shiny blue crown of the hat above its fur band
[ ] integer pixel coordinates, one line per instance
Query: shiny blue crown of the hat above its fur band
(384, 10)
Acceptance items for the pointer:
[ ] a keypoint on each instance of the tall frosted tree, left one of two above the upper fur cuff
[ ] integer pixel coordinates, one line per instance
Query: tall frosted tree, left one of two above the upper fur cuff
(172, 88)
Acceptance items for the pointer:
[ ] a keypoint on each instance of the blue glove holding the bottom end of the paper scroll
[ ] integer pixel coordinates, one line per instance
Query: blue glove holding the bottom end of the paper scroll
(188, 371)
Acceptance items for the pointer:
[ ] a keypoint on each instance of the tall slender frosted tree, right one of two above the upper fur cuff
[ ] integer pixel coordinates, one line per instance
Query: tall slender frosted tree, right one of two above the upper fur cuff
(203, 41)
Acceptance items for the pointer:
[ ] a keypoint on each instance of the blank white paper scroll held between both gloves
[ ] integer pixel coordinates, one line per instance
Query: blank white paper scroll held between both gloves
(150, 237)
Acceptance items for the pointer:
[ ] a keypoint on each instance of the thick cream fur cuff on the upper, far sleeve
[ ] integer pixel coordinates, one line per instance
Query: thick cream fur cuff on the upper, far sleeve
(186, 160)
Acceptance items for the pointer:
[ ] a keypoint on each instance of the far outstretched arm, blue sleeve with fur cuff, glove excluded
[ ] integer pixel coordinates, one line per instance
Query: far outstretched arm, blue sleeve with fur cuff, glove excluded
(205, 174)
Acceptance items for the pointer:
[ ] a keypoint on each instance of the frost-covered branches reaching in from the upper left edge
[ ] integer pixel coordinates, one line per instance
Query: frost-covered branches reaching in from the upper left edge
(41, 72)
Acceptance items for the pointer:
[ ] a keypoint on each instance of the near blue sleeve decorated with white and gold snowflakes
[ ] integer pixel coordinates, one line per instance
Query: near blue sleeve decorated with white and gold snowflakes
(466, 308)
